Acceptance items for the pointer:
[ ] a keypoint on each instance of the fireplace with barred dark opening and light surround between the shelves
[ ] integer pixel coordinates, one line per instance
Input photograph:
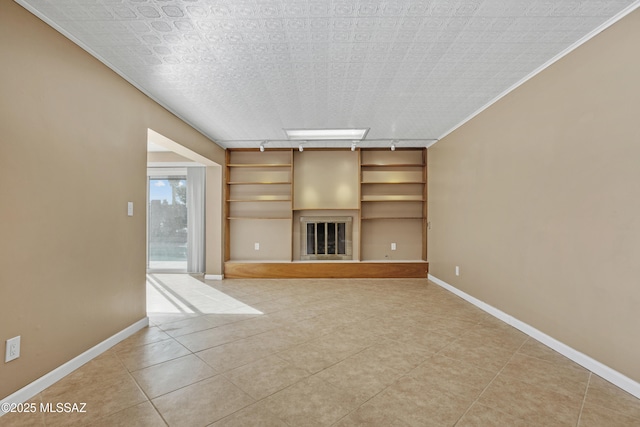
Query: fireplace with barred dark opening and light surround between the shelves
(326, 238)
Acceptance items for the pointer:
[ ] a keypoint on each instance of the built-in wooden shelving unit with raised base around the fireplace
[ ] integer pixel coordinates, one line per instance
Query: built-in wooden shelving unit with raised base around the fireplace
(385, 192)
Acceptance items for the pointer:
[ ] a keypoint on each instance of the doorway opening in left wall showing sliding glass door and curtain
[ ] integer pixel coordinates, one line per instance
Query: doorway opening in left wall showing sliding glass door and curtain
(168, 165)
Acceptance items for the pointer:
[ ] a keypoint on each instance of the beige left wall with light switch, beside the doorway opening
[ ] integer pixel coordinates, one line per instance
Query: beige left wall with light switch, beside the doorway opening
(72, 154)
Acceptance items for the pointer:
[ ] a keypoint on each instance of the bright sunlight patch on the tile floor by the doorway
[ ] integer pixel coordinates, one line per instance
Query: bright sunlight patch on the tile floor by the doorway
(183, 294)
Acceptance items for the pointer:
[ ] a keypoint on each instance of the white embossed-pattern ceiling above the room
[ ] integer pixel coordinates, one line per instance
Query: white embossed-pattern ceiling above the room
(241, 71)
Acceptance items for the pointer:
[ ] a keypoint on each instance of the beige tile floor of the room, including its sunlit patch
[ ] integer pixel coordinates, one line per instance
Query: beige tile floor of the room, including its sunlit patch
(328, 353)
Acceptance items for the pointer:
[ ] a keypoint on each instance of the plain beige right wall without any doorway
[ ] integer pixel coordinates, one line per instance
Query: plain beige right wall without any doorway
(537, 201)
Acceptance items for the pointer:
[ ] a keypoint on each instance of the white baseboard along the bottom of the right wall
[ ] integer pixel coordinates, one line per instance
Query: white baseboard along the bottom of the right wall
(609, 374)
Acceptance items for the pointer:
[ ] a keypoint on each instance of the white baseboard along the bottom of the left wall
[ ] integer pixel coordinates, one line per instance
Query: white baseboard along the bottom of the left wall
(30, 390)
